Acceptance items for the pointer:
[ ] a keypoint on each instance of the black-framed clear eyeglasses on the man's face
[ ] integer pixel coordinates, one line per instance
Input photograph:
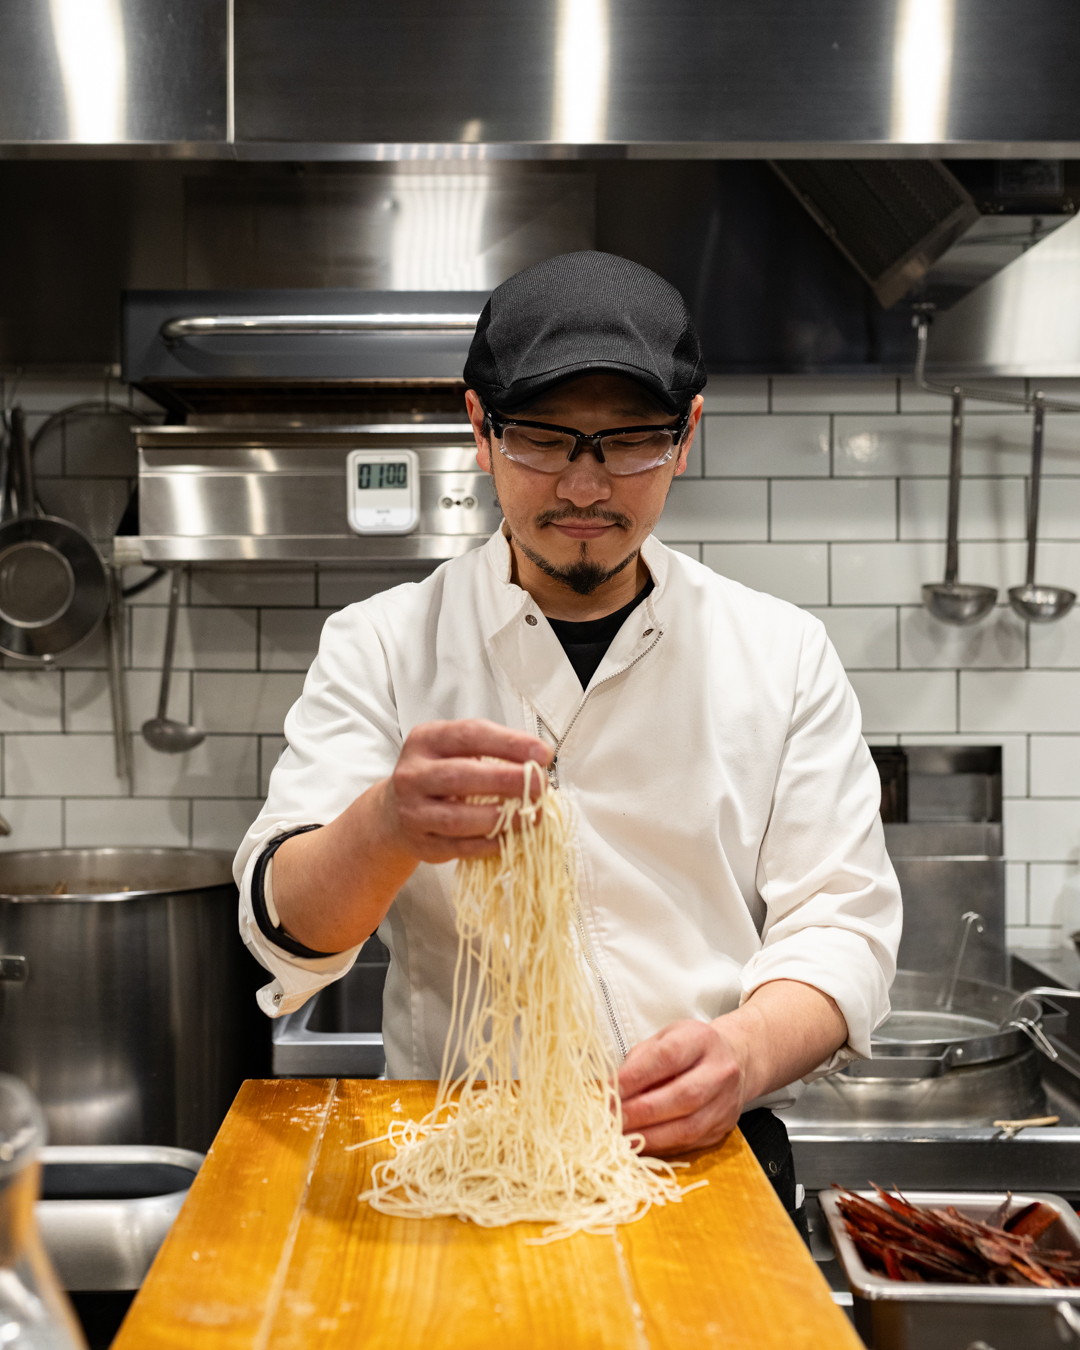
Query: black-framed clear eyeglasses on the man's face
(622, 450)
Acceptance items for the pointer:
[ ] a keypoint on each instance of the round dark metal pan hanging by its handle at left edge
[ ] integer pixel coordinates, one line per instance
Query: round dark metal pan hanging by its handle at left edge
(53, 585)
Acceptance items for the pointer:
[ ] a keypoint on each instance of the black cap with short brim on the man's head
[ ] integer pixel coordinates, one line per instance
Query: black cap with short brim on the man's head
(584, 314)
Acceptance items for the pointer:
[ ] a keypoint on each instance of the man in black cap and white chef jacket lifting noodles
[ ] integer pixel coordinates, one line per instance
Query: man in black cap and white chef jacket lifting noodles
(740, 915)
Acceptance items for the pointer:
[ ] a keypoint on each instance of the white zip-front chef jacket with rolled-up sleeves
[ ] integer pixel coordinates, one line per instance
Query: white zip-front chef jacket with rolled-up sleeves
(728, 828)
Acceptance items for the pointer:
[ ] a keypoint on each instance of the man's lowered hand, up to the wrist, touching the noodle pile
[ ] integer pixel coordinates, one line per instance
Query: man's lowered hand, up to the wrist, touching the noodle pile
(682, 1089)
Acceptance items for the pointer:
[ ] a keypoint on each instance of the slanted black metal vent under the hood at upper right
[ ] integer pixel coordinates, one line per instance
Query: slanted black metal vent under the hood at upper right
(892, 219)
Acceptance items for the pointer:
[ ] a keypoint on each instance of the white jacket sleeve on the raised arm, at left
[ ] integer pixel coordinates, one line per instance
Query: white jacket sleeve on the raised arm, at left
(342, 736)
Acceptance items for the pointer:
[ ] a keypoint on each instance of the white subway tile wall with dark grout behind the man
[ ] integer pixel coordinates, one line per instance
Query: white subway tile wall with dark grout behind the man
(828, 493)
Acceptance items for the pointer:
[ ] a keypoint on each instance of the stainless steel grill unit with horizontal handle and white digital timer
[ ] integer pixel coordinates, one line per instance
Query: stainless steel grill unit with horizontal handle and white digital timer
(284, 394)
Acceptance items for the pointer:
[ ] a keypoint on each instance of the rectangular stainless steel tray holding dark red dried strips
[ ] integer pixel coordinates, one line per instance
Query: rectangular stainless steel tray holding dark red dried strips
(897, 1316)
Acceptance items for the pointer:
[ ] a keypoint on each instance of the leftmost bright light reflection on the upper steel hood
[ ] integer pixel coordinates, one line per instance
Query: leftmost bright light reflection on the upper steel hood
(90, 37)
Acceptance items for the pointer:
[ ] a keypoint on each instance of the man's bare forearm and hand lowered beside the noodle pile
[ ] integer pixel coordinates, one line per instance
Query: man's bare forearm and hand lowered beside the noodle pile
(686, 1087)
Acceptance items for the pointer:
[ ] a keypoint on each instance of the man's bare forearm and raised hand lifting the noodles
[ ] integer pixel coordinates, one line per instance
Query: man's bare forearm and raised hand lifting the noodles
(334, 886)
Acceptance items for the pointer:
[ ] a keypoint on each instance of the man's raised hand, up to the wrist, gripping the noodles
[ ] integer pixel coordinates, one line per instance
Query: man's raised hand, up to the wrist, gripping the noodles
(425, 805)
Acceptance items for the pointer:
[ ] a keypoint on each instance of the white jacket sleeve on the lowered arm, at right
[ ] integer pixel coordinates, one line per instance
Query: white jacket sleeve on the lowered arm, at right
(834, 912)
